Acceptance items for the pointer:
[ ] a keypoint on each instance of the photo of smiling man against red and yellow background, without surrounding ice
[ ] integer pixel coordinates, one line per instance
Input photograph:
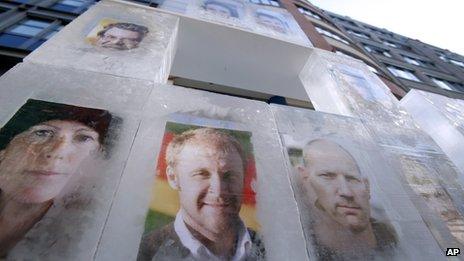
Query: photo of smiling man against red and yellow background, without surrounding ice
(203, 202)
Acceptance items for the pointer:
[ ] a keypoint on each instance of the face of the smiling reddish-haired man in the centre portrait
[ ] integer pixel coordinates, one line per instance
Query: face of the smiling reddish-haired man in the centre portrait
(209, 178)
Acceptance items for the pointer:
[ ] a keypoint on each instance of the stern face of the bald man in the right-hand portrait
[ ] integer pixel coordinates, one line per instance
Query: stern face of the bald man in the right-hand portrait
(335, 185)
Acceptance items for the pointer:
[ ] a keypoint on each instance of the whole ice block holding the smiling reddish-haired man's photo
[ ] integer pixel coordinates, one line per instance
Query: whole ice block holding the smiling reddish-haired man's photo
(147, 199)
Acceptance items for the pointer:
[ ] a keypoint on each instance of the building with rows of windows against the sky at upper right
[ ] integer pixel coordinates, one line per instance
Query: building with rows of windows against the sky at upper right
(402, 63)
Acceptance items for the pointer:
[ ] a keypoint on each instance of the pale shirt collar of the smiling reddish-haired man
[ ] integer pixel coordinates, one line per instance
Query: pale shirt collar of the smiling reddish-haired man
(197, 249)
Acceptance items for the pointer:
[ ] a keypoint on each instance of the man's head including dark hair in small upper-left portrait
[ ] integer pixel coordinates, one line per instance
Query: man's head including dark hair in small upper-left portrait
(121, 36)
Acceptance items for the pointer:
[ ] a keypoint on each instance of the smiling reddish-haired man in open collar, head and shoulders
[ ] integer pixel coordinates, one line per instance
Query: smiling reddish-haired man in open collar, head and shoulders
(206, 167)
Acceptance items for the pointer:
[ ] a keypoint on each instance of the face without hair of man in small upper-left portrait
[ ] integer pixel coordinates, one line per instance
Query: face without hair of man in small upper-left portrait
(120, 39)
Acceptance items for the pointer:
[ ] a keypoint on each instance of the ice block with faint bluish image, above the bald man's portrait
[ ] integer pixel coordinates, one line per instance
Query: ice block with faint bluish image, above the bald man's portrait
(337, 84)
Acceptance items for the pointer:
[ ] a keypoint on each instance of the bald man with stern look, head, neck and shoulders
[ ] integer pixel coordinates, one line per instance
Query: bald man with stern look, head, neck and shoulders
(337, 195)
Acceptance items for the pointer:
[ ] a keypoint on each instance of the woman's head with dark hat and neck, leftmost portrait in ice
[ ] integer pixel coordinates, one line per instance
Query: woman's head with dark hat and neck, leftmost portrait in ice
(41, 148)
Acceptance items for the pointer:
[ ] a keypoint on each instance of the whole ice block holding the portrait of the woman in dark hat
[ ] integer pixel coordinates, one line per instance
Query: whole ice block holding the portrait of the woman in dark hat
(58, 101)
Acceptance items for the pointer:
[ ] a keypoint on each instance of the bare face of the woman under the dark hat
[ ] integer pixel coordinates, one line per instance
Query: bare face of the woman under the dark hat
(37, 163)
